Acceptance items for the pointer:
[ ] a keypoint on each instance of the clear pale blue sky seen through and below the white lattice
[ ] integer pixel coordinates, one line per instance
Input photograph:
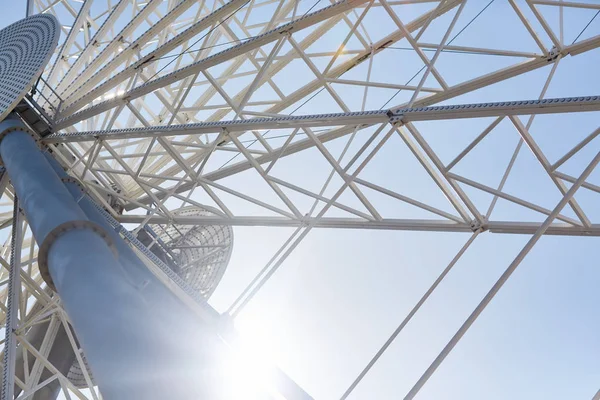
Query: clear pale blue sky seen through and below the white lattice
(341, 293)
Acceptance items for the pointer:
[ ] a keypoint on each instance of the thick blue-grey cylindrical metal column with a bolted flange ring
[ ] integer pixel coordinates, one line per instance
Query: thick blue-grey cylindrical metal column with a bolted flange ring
(133, 353)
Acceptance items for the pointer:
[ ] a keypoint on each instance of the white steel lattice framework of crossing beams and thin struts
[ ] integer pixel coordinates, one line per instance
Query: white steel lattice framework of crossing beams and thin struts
(301, 114)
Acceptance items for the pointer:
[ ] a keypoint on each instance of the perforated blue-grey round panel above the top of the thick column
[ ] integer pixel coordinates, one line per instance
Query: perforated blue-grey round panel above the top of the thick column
(25, 48)
